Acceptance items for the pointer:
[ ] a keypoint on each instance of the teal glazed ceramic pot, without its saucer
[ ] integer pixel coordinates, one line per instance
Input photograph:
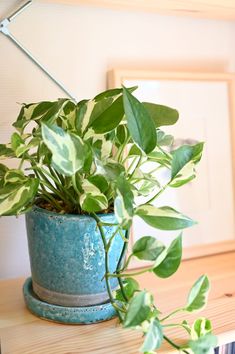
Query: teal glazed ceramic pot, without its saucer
(67, 257)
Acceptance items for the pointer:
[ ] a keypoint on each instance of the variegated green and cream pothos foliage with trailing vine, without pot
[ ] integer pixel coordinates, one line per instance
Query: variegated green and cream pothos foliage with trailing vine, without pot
(90, 157)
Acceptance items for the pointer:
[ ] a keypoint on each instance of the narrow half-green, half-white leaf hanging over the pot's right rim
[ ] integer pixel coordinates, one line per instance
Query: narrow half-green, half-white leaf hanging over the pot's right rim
(124, 201)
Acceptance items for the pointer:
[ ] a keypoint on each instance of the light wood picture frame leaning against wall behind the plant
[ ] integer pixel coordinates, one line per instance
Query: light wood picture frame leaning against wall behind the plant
(205, 102)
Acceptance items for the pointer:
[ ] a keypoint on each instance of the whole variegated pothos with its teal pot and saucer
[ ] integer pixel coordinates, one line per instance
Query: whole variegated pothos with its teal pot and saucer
(79, 180)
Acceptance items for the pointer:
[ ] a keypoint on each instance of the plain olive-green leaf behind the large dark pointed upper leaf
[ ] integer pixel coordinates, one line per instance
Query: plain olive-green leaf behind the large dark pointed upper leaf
(161, 115)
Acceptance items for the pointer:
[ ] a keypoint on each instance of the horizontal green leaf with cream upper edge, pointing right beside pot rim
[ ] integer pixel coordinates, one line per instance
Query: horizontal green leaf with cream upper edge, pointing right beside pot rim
(164, 218)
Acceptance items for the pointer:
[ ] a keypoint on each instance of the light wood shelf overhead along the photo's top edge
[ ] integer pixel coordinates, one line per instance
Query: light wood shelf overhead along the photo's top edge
(218, 9)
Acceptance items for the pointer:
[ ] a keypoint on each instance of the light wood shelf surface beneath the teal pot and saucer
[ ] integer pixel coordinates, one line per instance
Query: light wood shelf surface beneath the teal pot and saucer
(23, 333)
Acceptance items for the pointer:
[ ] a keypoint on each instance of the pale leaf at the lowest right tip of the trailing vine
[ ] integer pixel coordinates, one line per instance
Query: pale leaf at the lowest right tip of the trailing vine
(204, 345)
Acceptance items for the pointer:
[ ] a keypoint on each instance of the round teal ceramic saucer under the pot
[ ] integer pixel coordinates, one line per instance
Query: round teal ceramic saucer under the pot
(66, 315)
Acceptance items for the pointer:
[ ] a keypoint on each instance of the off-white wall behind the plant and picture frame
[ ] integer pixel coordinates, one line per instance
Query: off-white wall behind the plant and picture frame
(79, 44)
